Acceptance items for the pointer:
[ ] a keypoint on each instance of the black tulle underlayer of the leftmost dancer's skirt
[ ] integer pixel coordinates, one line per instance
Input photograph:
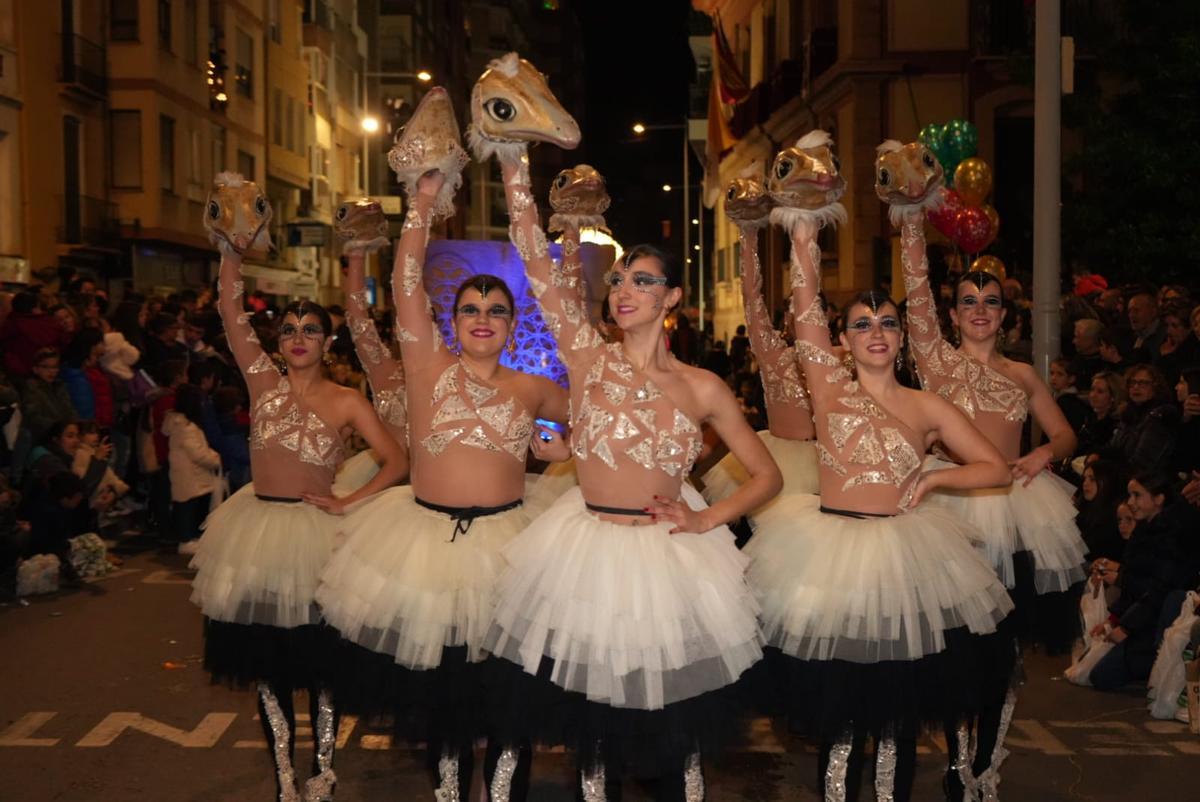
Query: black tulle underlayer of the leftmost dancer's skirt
(243, 655)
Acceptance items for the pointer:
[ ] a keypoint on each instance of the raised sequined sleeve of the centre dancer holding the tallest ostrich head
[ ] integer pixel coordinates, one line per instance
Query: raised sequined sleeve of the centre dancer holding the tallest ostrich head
(559, 295)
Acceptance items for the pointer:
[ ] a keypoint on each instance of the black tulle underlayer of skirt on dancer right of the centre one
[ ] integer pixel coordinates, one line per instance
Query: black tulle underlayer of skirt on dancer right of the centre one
(827, 698)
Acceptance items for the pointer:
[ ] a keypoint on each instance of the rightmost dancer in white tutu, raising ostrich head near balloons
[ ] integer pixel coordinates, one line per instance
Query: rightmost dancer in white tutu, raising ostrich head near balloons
(1029, 530)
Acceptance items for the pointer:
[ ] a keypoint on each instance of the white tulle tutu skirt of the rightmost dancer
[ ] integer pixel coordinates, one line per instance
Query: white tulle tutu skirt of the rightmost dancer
(1040, 519)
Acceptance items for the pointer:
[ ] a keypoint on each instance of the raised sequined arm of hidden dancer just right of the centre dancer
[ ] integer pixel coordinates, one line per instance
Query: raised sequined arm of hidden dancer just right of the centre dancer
(777, 361)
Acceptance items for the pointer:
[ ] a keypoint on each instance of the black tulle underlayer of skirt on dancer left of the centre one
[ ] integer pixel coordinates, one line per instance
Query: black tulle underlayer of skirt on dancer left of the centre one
(446, 703)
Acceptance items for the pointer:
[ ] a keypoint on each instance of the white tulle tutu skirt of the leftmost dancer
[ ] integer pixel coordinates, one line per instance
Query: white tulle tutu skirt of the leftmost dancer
(259, 562)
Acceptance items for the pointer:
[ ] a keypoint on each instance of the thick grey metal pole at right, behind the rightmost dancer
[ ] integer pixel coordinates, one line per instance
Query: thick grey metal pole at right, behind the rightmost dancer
(1047, 177)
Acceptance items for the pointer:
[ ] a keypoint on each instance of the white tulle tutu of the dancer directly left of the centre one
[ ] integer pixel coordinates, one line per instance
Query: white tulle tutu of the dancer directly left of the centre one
(404, 583)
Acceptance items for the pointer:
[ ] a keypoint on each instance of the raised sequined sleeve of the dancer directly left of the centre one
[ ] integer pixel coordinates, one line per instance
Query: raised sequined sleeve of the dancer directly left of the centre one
(416, 328)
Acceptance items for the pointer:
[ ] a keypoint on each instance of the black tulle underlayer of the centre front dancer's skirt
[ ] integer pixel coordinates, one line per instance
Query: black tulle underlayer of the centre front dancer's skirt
(525, 708)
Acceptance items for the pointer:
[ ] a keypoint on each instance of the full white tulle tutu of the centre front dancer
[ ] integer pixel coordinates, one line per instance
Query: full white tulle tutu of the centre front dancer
(632, 617)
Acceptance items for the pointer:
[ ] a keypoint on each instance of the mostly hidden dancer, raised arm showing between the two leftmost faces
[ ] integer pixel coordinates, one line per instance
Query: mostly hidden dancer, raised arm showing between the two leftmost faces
(363, 228)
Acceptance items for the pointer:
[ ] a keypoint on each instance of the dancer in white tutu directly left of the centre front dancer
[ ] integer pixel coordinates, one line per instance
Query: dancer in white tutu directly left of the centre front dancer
(412, 586)
